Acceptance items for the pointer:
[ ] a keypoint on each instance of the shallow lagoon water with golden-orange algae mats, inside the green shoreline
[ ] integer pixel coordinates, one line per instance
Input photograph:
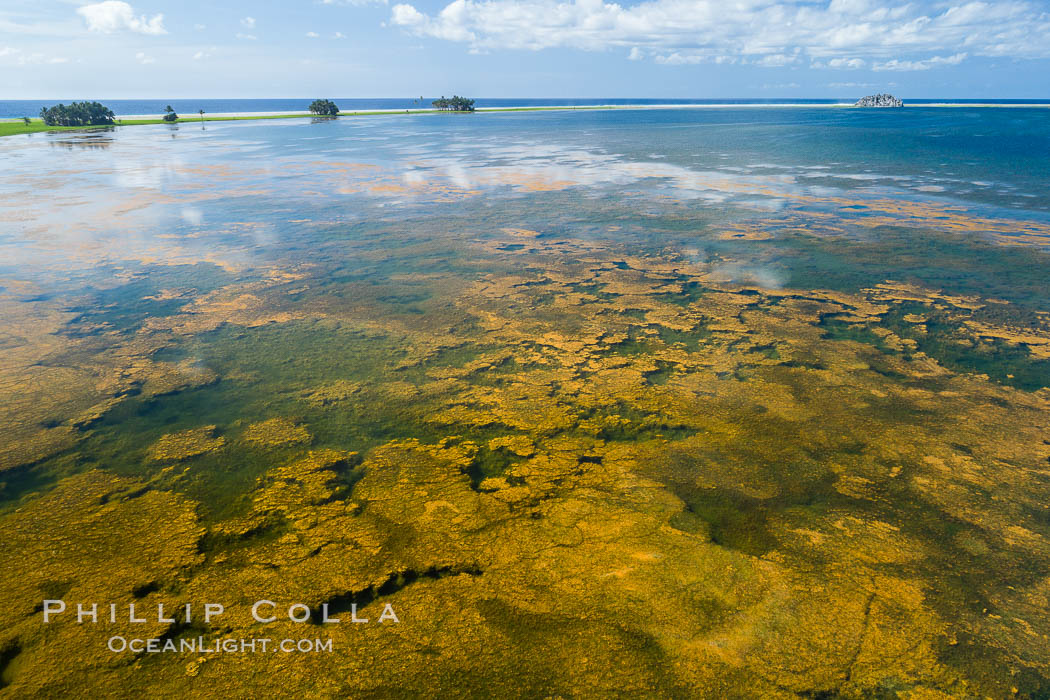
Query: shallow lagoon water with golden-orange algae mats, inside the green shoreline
(748, 399)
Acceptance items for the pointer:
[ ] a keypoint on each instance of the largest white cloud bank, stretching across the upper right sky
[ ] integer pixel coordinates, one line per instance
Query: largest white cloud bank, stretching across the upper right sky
(841, 34)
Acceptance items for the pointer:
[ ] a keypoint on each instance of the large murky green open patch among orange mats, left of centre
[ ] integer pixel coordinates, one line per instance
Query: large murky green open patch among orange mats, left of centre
(270, 371)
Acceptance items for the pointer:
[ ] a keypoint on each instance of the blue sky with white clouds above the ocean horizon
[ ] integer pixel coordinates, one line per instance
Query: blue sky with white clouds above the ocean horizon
(536, 49)
